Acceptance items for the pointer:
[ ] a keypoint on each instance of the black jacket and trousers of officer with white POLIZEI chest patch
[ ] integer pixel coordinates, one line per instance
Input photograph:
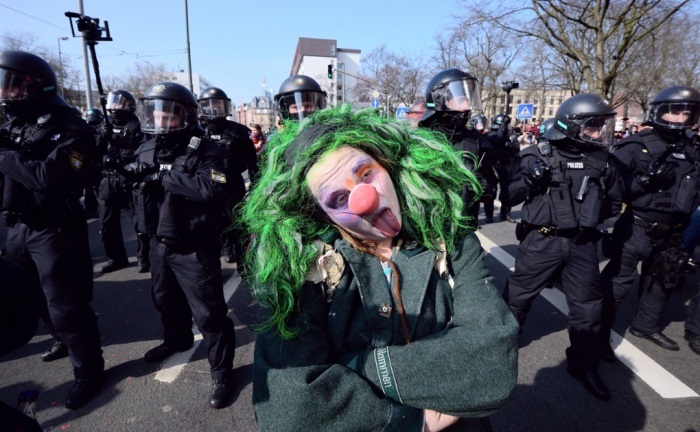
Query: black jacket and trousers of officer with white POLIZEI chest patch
(558, 234)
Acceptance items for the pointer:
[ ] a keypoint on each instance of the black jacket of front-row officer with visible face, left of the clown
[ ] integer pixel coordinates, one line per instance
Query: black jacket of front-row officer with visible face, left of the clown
(187, 204)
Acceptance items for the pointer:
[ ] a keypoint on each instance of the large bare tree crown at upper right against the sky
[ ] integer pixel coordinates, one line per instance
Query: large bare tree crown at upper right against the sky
(595, 35)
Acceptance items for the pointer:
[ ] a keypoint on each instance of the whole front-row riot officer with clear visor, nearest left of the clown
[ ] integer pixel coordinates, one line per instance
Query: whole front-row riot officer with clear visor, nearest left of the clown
(180, 177)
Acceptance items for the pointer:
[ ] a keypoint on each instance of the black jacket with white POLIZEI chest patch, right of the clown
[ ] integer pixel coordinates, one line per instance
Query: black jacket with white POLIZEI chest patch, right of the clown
(582, 189)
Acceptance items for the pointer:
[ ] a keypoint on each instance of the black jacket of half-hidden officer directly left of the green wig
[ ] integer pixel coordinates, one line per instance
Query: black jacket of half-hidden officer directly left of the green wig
(240, 154)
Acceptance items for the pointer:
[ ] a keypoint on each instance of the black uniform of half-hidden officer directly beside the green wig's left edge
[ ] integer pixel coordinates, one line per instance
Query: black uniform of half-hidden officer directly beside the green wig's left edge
(235, 139)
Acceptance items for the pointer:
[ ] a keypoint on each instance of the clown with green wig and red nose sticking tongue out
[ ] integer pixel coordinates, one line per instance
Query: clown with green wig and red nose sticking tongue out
(380, 311)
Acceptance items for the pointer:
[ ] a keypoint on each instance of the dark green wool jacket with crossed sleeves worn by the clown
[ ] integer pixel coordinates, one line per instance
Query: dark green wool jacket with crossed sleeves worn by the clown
(350, 368)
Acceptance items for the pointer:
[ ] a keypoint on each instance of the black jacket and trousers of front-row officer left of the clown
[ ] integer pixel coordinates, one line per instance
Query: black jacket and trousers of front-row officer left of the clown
(182, 213)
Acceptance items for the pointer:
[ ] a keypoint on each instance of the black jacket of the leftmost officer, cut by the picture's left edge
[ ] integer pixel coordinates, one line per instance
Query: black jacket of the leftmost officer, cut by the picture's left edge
(43, 160)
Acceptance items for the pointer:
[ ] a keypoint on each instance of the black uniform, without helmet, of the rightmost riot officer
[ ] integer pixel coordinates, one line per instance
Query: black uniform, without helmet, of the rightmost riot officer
(651, 228)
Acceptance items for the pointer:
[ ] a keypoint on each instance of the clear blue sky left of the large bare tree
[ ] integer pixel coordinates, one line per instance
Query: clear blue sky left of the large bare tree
(234, 44)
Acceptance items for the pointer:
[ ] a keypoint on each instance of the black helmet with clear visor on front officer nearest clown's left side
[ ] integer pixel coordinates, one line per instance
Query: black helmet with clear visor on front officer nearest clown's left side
(167, 107)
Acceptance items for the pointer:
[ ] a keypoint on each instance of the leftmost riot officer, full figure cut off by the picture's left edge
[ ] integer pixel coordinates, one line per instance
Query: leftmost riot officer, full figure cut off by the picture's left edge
(44, 152)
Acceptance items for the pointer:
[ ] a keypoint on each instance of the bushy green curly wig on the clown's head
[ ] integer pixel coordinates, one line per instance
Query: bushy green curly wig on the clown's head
(283, 219)
